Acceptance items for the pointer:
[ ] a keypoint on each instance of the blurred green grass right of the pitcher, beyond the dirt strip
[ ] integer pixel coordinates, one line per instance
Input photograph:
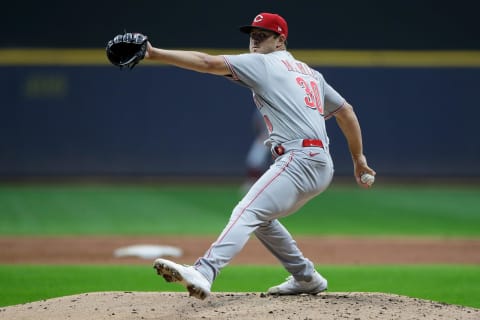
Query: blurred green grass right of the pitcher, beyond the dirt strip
(407, 210)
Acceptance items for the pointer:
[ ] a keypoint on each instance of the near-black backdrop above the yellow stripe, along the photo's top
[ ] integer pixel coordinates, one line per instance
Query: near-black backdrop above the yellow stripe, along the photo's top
(348, 24)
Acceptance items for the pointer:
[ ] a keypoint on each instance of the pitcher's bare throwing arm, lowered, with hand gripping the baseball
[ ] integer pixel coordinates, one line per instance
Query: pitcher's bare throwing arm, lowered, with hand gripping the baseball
(348, 122)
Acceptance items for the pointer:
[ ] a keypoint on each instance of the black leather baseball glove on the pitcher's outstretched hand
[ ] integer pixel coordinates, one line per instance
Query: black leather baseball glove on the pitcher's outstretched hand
(126, 50)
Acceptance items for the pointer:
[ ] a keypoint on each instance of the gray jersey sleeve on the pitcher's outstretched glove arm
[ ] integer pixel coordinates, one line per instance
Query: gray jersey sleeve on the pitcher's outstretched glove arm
(249, 68)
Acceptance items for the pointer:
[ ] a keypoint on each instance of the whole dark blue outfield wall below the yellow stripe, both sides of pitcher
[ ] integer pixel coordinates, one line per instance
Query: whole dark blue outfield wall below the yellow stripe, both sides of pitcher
(158, 120)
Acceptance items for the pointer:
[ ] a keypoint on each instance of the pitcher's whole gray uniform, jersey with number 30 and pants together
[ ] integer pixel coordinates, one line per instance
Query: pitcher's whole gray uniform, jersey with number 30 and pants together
(294, 101)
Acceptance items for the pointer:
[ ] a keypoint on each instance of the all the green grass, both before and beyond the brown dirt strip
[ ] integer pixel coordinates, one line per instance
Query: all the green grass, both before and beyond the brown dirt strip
(442, 211)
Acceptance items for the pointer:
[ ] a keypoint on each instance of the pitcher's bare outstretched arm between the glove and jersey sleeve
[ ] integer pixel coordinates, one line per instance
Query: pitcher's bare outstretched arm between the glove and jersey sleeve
(191, 60)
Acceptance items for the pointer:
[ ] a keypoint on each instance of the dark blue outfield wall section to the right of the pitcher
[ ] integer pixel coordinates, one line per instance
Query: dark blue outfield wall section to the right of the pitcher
(414, 120)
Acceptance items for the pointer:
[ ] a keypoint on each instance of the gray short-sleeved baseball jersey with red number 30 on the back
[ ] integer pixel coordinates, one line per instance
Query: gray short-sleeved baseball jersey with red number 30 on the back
(294, 104)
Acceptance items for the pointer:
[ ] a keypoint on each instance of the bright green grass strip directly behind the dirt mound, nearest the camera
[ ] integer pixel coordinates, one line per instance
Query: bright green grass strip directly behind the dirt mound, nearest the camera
(448, 284)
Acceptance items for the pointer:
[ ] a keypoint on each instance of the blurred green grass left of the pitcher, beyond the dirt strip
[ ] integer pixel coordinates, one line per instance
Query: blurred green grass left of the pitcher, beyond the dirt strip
(48, 210)
